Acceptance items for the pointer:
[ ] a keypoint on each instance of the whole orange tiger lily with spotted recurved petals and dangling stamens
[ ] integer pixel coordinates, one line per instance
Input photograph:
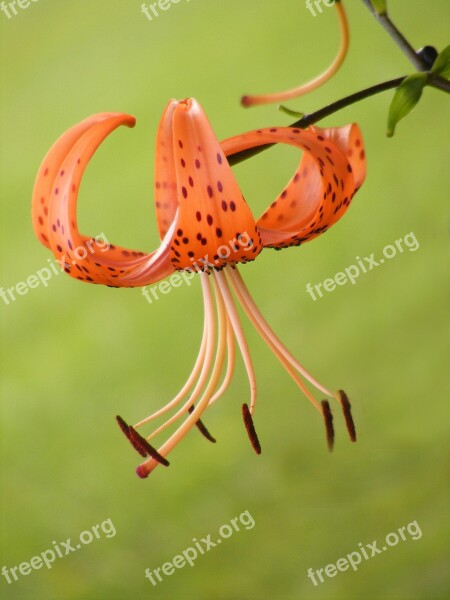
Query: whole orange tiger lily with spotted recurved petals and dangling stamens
(206, 227)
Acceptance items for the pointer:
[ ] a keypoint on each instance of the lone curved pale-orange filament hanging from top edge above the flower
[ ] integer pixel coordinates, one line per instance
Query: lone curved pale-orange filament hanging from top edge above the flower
(317, 81)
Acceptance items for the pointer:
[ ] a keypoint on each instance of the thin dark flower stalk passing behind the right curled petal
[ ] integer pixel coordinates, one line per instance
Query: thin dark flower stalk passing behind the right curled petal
(316, 116)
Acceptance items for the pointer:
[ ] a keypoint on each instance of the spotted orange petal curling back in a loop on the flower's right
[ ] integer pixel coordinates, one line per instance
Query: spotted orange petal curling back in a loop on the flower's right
(330, 172)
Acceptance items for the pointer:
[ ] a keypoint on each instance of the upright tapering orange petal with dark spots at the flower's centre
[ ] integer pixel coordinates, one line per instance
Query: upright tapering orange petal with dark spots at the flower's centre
(214, 222)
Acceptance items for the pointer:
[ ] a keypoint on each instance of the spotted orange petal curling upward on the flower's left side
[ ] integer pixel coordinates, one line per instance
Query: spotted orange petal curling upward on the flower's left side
(55, 198)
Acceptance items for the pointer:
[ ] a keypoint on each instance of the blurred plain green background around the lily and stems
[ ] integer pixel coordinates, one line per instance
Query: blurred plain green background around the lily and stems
(74, 355)
